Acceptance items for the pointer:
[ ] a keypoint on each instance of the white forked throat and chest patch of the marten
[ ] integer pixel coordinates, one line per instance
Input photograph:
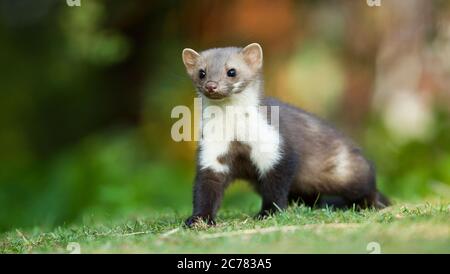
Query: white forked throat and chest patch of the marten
(239, 118)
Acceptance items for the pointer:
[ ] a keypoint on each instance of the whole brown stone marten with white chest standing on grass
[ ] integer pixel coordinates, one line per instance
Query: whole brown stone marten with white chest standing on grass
(299, 157)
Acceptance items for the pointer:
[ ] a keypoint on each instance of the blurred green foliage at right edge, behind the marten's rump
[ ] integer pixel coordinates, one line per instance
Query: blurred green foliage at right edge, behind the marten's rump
(416, 169)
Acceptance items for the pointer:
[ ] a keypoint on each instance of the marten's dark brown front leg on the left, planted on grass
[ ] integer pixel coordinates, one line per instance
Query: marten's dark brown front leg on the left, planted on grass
(209, 187)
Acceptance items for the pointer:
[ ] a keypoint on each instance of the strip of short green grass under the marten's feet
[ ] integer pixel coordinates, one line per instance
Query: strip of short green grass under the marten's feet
(407, 228)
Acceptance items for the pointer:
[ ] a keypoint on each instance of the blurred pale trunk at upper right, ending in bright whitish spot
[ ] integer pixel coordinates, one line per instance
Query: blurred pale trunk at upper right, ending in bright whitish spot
(402, 92)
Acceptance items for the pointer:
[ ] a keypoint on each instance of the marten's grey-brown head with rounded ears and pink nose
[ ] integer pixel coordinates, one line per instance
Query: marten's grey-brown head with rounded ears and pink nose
(221, 72)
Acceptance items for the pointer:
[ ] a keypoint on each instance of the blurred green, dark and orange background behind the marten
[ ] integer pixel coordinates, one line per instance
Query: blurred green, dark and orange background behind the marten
(86, 95)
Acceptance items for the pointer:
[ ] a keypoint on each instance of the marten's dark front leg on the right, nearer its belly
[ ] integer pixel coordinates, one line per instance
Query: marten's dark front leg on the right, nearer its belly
(275, 185)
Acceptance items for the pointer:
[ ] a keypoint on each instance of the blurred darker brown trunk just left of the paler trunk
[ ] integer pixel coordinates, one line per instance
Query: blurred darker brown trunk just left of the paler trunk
(360, 47)
